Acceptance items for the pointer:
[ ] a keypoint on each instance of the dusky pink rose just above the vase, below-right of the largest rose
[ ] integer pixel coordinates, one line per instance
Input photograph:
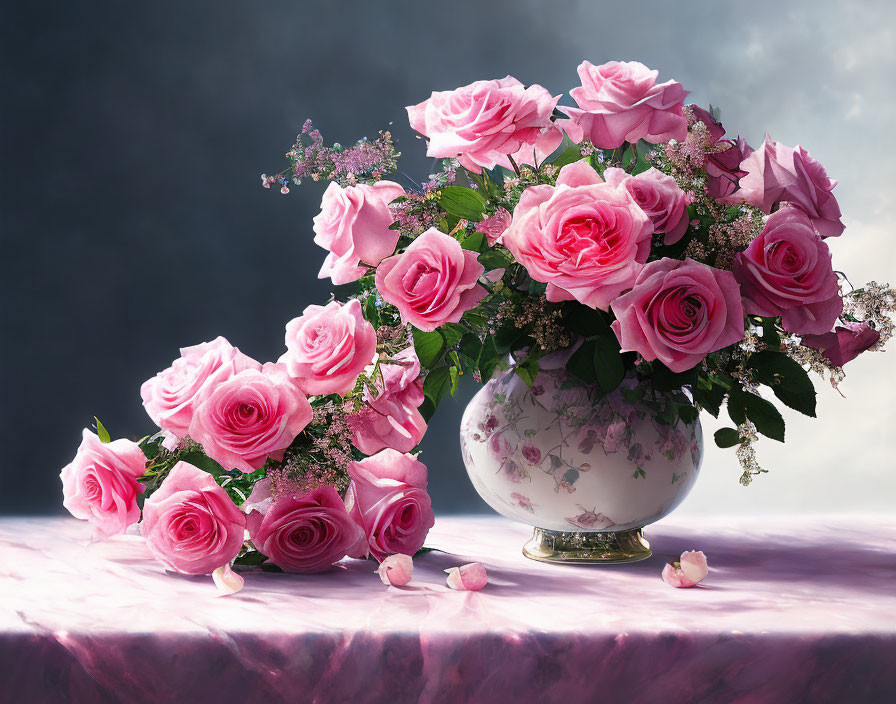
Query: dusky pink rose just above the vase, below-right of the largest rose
(678, 312)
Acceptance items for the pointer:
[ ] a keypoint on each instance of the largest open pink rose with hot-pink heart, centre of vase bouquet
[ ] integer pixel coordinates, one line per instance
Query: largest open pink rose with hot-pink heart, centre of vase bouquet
(585, 239)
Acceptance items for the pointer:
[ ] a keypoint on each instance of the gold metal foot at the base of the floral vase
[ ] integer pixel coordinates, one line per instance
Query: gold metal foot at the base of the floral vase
(587, 548)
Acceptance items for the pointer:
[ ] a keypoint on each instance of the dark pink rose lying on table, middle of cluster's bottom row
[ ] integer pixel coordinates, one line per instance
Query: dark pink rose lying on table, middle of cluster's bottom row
(305, 533)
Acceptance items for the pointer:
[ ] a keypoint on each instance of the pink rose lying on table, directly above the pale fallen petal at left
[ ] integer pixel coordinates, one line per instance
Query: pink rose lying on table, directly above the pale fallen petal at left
(190, 523)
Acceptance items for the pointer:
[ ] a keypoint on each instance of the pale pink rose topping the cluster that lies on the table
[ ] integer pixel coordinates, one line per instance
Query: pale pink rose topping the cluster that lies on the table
(328, 347)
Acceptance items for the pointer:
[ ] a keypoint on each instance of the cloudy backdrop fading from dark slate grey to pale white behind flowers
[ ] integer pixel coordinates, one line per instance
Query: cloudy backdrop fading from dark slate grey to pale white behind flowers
(132, 221)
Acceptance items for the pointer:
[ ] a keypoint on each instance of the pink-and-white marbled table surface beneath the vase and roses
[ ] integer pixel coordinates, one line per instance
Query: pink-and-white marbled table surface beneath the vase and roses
(793, 610)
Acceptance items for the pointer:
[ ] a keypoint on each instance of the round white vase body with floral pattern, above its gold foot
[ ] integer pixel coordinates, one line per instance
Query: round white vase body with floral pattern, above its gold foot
(560, 455)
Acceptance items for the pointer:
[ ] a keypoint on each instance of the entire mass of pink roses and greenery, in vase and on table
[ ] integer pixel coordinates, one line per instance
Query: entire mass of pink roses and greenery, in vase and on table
(627, 229)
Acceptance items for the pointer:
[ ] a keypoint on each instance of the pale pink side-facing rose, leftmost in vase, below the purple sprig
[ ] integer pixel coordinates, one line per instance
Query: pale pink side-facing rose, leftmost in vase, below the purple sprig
(353, 226)
